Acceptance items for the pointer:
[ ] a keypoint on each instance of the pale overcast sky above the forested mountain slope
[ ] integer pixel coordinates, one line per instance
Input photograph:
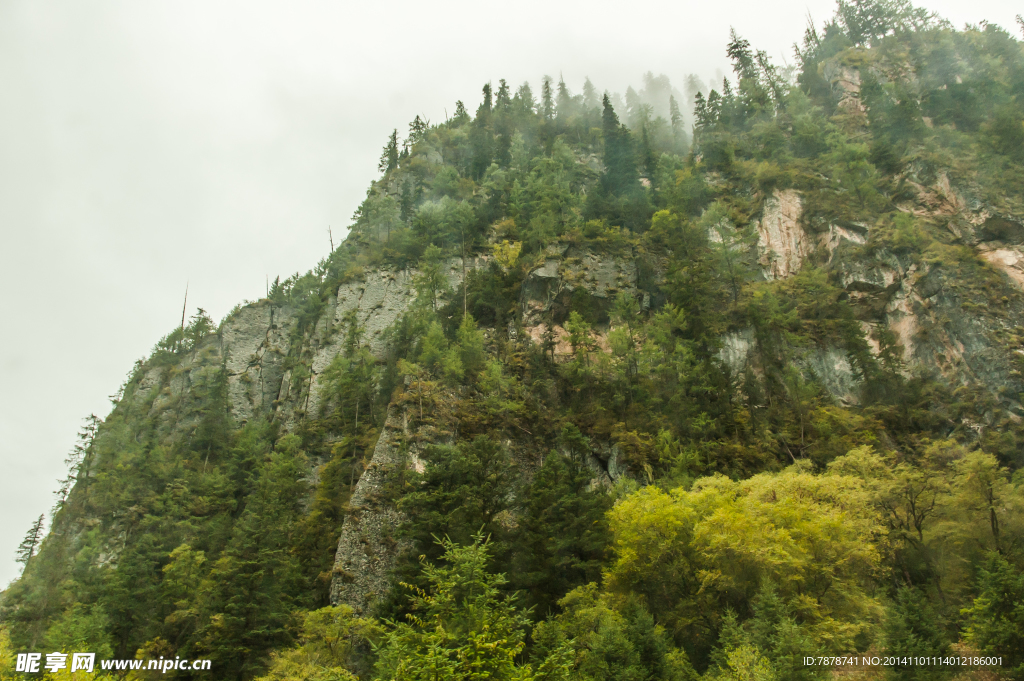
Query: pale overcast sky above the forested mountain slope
(145, 145)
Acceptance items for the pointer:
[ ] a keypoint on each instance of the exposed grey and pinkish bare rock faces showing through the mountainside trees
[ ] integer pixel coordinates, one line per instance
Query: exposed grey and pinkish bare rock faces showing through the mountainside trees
(944, 323)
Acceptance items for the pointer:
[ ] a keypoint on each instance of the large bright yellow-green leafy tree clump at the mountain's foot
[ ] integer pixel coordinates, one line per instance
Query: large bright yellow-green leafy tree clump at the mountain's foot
(695, 554)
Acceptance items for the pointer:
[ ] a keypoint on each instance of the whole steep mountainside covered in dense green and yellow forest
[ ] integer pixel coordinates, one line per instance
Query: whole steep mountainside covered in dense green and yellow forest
(680, 390)
